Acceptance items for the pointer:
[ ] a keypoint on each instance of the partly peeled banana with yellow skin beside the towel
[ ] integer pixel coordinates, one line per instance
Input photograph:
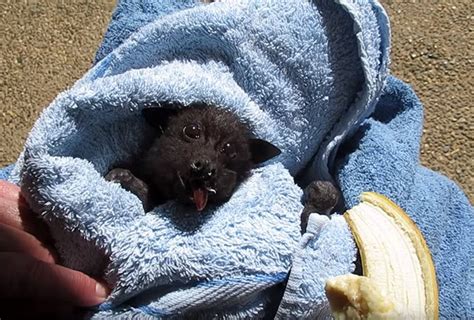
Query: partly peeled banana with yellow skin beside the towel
(399, 279)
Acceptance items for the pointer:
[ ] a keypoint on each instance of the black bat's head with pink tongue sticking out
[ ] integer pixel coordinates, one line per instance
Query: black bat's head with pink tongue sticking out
(201, 155)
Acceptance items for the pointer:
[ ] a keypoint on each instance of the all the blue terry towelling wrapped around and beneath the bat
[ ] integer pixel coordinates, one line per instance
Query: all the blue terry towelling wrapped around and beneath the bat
(305, 76)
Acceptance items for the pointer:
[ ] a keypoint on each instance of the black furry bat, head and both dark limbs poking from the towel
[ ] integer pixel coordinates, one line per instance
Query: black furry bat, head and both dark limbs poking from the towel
(204, 152)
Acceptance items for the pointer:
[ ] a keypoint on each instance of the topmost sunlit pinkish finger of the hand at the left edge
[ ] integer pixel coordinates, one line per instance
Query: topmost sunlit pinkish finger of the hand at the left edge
(15, 212)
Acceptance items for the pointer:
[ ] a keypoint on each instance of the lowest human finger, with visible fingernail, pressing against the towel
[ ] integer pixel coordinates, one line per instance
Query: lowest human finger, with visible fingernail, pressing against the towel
(24, 277)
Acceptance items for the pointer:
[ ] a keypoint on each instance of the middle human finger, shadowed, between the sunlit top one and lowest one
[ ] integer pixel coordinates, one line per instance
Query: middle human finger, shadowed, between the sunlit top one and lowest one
(14, 240)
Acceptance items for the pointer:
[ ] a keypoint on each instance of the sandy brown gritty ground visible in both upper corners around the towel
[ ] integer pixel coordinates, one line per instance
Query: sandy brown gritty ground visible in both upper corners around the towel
(46, 45)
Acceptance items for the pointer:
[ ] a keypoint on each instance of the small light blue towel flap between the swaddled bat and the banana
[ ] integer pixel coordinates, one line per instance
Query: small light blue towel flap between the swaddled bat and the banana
(325, 250)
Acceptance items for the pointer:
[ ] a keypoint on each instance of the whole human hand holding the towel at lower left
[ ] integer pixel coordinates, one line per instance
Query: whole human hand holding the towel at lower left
(31, 280)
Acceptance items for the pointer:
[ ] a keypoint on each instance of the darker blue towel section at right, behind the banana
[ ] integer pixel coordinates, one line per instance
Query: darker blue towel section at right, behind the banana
(383, 156)
